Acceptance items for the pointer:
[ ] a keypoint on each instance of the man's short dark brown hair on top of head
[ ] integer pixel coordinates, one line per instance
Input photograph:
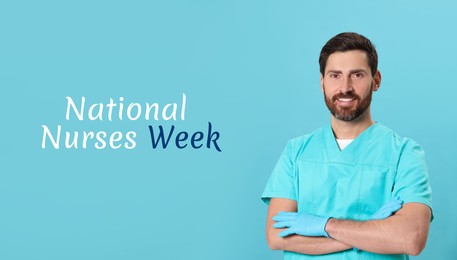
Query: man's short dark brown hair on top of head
(349, 41)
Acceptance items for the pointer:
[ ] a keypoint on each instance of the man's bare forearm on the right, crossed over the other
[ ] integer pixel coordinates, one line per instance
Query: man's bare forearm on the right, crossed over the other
(403, 233)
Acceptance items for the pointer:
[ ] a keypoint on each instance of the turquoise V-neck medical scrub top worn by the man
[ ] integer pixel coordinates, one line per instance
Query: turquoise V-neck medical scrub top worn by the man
(349, 184)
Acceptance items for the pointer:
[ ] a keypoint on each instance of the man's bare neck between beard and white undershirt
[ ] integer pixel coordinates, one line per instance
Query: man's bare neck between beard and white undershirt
(351, 129)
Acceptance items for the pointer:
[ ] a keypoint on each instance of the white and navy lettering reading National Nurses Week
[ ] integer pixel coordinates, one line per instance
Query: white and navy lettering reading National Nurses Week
(118, 111)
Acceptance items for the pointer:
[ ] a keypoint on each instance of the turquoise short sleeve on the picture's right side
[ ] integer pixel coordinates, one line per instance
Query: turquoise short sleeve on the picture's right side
(412, 180)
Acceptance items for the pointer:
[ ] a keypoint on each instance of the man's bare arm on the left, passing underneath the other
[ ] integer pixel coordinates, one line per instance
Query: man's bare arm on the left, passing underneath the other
(295, 243)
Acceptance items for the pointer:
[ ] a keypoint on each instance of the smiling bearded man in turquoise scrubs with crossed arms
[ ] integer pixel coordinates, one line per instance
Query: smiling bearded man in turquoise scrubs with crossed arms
(353, 189)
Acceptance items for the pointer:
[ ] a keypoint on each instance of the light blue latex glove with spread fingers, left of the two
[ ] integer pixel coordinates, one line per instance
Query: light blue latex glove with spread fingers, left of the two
(301, 224)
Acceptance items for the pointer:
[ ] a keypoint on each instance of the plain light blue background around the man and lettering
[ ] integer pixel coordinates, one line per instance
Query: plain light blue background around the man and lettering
(249, 67)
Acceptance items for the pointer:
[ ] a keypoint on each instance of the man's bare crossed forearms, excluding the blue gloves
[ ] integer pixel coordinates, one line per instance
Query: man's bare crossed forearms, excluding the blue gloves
(403, 233)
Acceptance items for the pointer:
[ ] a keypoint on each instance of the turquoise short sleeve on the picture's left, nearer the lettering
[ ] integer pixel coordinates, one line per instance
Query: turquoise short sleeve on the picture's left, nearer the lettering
(282, 181)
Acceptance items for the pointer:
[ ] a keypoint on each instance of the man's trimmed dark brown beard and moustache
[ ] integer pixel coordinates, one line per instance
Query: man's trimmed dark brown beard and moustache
(346, 113)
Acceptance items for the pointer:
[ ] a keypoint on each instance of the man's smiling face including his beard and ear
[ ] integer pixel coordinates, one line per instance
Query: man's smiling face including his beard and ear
(347, 84)
